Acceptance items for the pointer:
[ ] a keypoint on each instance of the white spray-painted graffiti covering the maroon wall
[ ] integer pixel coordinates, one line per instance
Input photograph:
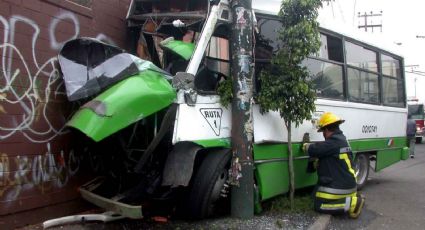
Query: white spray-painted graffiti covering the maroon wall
(33, 105)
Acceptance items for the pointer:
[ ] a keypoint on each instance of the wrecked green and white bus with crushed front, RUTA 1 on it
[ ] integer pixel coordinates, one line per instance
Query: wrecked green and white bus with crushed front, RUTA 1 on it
(160, 137)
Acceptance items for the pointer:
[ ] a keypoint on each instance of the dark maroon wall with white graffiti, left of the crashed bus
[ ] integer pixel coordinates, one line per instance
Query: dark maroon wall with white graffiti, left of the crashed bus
(38, 164)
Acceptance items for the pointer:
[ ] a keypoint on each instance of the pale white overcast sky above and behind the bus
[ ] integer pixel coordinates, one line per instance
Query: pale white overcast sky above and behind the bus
(402, 22)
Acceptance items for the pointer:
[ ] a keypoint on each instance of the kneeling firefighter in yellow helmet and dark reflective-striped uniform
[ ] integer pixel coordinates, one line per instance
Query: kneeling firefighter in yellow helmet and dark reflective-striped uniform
(336, 190)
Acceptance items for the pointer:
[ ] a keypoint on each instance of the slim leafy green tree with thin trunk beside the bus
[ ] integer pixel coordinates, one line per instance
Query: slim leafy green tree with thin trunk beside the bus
(285, 86)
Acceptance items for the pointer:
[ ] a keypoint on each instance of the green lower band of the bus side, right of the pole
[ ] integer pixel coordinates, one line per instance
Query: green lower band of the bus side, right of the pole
(271, 162)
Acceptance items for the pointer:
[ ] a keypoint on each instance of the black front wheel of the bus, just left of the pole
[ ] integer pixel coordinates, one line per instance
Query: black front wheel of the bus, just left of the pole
(210, 192)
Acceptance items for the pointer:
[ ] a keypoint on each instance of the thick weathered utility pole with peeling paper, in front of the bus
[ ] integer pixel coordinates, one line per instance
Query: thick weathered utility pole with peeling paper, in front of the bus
(242, 169)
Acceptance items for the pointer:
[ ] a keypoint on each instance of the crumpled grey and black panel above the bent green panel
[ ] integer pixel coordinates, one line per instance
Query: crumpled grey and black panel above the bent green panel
(89, 66)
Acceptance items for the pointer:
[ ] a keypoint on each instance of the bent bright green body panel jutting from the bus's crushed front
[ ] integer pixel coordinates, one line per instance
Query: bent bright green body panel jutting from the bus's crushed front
(124, 103)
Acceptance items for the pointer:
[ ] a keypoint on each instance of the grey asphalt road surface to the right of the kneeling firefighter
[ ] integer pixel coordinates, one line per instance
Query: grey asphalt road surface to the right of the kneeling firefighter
(395, 198)
